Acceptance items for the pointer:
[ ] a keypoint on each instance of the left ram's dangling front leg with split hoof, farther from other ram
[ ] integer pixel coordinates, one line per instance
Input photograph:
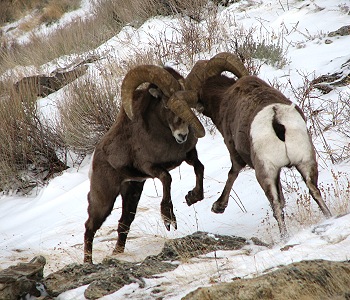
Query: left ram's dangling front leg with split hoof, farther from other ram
(166, 206)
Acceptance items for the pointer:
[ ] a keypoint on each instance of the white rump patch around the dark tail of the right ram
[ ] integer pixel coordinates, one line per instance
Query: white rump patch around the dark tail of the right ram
(269, 148)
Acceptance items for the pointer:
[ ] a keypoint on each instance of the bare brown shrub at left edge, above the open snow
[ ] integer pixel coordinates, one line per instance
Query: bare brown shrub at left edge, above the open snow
(28, 154)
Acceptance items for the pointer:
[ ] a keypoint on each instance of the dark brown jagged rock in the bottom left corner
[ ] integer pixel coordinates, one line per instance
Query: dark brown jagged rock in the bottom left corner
(22, 279)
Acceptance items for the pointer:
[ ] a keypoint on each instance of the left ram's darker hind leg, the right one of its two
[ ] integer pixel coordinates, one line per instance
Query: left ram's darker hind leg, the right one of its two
(131, 193)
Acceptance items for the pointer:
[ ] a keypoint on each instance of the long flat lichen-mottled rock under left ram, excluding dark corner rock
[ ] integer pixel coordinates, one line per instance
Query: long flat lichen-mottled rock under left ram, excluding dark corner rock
(112, 274)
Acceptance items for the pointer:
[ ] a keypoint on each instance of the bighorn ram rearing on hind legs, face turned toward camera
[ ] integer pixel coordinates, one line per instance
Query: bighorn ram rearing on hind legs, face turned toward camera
(153, 133)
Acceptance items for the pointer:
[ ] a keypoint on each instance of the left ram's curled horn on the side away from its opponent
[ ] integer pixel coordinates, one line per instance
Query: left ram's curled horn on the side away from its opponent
(146, 73)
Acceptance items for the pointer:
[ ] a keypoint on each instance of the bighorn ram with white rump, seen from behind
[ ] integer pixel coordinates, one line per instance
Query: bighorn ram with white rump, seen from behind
(260, 126)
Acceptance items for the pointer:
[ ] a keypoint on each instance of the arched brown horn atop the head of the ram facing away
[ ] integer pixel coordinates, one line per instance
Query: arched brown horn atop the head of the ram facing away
(204, 69)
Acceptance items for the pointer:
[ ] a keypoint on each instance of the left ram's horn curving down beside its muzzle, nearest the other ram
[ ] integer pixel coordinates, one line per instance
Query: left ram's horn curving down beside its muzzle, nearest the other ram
(180, 104)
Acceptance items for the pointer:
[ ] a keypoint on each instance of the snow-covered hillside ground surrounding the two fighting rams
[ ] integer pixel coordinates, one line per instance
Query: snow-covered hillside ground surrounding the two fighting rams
(303, 51)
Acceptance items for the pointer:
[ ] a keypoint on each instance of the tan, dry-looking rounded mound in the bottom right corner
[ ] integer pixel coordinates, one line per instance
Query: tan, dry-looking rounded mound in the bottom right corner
(316, 280)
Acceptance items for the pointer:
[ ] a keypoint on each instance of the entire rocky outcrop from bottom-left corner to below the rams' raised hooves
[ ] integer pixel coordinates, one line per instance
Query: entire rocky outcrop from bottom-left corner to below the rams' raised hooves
(112, 274)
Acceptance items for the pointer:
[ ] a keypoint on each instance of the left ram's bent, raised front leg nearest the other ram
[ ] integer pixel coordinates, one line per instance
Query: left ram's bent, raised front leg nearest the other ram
(197, 193)
